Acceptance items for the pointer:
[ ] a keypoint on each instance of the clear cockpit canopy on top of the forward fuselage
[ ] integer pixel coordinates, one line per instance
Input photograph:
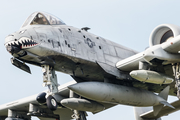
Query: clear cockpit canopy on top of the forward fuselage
(41, 18)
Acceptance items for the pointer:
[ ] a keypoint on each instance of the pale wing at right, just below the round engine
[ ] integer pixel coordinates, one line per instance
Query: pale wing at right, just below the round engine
(160, 52)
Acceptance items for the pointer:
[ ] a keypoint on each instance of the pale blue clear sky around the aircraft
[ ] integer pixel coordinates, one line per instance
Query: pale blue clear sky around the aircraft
(126, 22)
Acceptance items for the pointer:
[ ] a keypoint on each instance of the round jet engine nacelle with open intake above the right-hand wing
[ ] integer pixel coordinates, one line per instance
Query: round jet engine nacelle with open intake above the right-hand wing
(163, 33)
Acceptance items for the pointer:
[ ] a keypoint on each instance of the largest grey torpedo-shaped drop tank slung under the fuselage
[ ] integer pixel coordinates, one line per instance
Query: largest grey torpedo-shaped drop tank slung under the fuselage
(117, 94)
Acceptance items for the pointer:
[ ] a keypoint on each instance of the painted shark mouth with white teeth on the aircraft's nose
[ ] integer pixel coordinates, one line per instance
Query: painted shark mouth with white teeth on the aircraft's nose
(22, 43)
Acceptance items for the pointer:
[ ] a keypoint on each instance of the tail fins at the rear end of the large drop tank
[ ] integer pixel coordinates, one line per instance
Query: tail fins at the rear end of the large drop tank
(163, 94)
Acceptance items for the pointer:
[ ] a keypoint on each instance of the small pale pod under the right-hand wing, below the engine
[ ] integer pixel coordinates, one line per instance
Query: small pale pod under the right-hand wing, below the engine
(151, 77)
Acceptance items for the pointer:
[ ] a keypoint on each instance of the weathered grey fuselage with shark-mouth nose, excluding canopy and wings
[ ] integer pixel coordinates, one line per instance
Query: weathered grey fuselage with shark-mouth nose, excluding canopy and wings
(84, 56)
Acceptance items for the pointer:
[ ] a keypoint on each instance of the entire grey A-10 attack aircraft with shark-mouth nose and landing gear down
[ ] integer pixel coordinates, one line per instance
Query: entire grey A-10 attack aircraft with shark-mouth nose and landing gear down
(105, 74)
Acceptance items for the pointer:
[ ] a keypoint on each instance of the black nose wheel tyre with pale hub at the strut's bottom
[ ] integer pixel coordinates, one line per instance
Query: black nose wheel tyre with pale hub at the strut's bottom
(51, 103)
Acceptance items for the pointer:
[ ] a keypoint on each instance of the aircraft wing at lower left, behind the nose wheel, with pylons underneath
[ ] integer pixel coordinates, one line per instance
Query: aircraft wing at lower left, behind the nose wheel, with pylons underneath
(23, 107)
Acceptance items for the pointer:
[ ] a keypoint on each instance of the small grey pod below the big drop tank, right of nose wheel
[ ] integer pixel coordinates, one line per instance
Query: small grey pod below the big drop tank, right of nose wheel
(82, 105)
